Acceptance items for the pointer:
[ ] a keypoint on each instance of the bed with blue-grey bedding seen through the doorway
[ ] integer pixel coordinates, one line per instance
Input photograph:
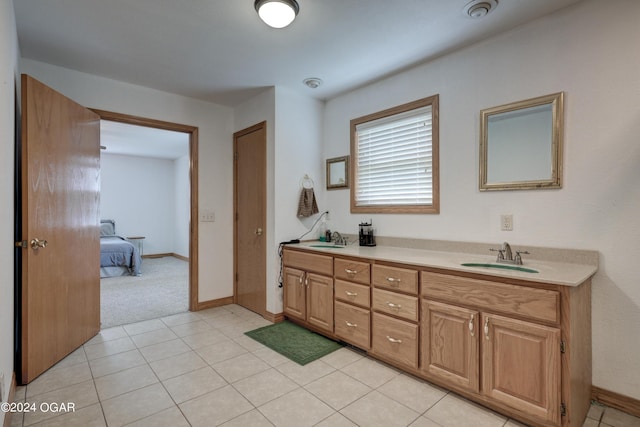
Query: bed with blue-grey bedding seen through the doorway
(118, 256)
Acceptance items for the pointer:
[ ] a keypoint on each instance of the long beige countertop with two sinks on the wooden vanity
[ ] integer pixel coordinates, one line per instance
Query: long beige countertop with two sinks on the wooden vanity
(558, 273)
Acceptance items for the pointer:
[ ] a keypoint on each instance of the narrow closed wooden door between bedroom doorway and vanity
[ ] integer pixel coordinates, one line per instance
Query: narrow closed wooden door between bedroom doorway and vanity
(250, 177)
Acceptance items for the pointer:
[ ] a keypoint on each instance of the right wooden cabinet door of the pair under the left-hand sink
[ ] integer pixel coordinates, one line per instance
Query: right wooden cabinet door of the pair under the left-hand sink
(320, 301)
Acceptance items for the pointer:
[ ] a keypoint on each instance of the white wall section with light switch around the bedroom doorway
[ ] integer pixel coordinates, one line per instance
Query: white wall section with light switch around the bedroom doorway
(215, 124)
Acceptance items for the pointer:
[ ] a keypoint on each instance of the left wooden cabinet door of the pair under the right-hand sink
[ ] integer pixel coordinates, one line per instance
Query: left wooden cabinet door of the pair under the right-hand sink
(450, 343)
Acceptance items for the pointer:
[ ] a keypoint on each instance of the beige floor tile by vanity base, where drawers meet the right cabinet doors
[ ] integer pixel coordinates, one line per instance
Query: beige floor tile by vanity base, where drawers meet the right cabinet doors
(414, 393)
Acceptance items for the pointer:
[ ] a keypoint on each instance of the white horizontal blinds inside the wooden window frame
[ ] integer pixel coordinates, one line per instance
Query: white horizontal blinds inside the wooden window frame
(394, 160)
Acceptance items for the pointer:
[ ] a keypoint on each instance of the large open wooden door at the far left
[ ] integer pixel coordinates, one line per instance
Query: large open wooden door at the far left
(60, 191)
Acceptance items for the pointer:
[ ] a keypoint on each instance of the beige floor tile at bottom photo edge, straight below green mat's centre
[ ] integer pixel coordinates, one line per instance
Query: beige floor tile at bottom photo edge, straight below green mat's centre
(298, 408)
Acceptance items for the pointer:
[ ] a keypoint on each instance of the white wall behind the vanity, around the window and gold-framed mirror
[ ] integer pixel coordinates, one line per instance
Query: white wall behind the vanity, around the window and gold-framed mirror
(590, 52)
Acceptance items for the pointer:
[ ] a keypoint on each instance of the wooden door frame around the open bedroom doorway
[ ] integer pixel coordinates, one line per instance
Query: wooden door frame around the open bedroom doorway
(193, 182)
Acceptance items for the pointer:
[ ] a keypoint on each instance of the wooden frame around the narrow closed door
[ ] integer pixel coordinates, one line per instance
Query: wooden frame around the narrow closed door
(258, 126)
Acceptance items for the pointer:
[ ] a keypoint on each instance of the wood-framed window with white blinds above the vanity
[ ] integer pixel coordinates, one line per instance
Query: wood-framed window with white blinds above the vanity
(394, 159)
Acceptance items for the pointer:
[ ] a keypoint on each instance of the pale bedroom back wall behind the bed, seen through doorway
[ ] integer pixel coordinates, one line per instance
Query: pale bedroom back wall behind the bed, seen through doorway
(139, 194)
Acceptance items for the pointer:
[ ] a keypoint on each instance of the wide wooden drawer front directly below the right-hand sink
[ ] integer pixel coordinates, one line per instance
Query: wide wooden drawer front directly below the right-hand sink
(533, 303)
